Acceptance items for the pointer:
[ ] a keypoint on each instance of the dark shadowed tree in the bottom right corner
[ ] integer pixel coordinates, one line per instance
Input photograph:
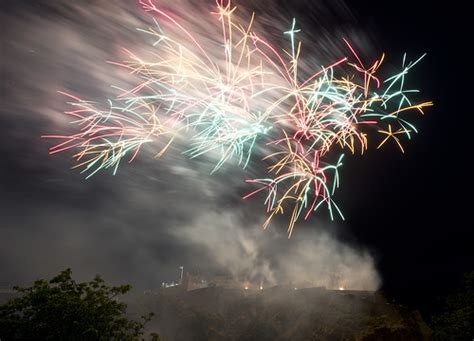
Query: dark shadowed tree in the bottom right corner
(456, 322)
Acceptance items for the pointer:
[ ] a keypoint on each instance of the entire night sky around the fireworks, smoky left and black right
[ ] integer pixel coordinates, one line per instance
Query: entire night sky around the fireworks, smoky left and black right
(408, 212)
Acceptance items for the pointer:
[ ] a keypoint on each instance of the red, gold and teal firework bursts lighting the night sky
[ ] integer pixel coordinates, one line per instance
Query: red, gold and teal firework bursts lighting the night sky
(245, 94)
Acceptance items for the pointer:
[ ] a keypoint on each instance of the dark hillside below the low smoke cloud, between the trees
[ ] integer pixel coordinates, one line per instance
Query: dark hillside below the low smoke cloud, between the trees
(278, 313)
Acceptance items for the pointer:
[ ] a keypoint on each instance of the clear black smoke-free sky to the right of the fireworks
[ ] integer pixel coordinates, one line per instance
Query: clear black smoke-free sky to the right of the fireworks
(416, 209)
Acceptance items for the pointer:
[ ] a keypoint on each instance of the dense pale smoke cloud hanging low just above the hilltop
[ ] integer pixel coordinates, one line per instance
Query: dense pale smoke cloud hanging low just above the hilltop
(227, 245)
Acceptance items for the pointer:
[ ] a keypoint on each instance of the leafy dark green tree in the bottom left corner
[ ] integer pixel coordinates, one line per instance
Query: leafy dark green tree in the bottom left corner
(62, 309)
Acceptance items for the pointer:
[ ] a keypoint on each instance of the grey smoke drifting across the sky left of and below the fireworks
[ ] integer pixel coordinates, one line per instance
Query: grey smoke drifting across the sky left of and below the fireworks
(155, 215)
